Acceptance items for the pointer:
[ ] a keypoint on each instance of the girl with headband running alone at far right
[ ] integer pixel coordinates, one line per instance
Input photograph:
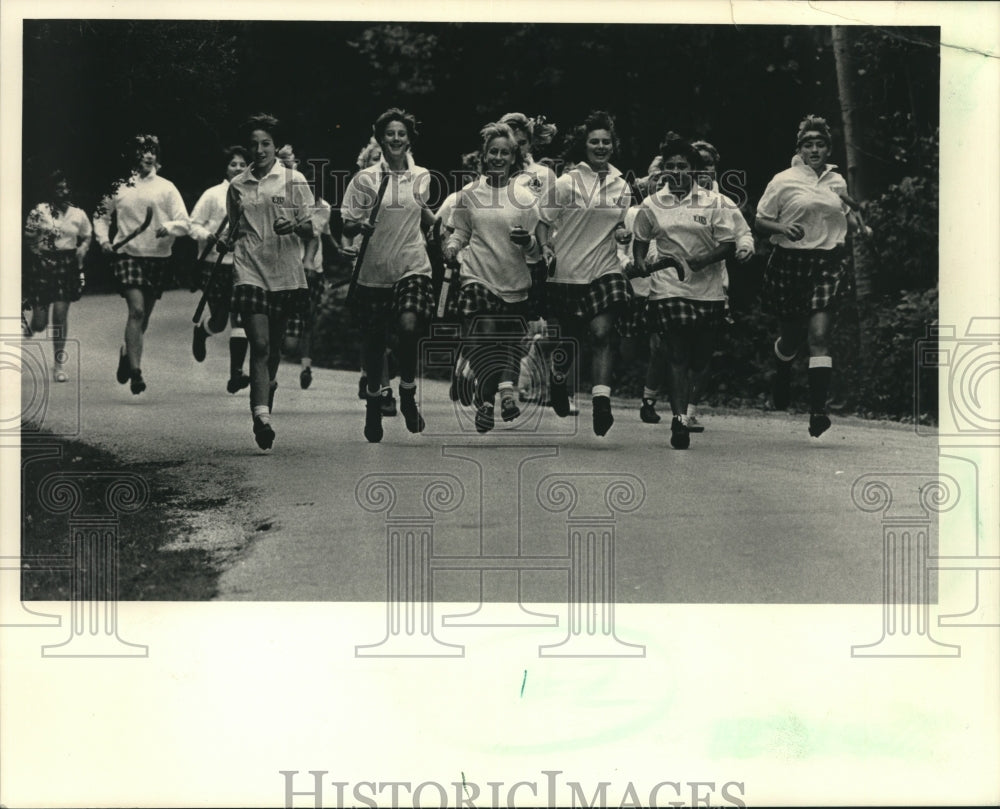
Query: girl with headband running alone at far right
(804, 213)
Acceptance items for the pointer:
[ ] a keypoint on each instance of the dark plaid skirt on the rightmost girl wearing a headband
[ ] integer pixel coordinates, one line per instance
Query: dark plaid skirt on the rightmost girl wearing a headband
(799, 282)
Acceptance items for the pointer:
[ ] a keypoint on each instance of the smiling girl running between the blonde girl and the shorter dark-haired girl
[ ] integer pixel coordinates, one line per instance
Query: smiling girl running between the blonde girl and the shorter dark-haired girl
(587, 292)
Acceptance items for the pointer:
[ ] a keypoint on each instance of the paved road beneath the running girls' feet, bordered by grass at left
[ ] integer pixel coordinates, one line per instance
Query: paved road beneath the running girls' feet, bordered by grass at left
(755, 512)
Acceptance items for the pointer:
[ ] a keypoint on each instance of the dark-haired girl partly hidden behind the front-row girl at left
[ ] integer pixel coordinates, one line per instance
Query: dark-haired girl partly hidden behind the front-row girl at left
(217, 281)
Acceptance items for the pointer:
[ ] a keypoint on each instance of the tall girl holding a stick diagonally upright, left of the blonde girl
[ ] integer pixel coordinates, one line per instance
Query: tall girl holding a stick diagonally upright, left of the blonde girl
(394, 286)
